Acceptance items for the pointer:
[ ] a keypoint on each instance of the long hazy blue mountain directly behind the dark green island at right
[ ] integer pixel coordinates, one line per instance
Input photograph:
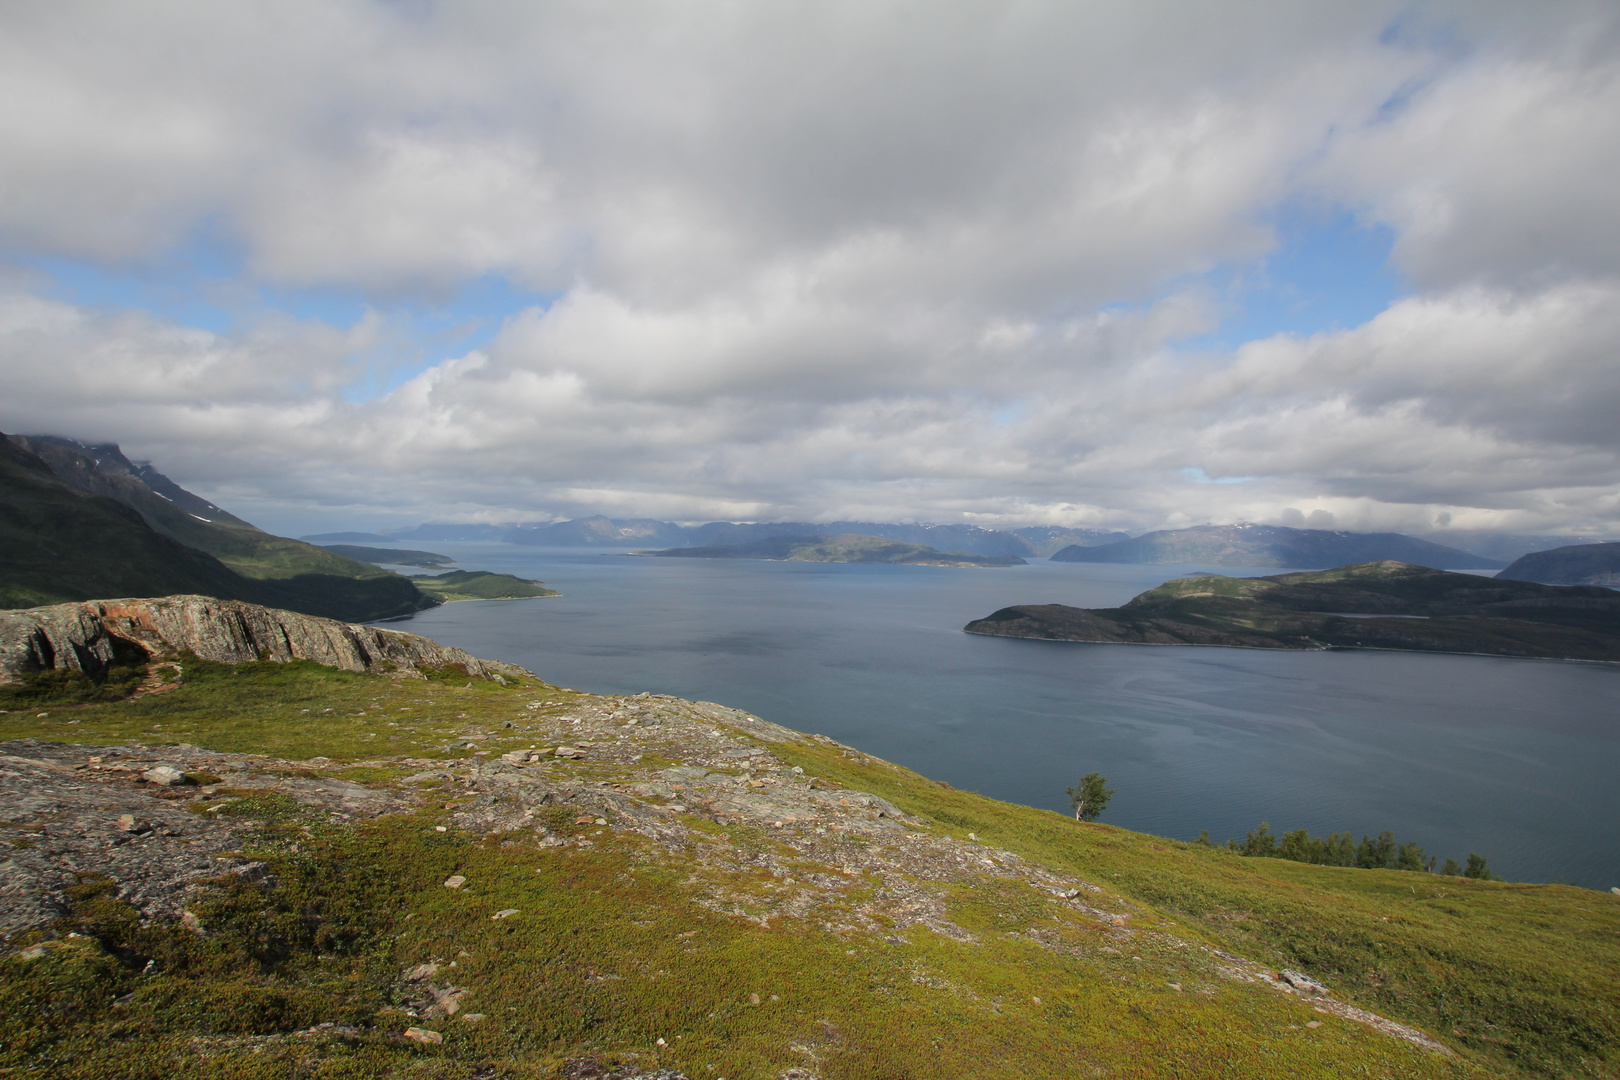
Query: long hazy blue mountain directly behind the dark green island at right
(1276, 546)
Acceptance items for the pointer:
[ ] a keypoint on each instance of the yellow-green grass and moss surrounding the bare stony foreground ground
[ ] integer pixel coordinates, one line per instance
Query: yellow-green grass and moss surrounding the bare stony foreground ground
(612, 955)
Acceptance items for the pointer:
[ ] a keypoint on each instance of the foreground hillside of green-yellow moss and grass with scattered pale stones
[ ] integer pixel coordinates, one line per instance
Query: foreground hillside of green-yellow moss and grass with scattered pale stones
(625, 909)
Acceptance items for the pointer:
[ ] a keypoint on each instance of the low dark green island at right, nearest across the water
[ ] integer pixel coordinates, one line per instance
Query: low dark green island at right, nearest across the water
(1373, 606)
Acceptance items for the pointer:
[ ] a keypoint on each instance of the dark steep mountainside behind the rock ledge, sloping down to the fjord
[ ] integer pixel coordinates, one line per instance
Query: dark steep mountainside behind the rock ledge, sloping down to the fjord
(75, 543)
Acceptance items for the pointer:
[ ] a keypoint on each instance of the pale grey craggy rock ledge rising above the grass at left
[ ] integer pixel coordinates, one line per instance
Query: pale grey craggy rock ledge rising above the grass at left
(95, 636)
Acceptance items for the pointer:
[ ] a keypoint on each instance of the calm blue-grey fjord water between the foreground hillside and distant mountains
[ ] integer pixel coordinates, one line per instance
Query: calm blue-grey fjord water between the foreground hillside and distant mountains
(1517, 760)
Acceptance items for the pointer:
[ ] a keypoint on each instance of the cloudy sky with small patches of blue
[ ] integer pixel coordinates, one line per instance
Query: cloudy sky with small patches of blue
(357, 265)
